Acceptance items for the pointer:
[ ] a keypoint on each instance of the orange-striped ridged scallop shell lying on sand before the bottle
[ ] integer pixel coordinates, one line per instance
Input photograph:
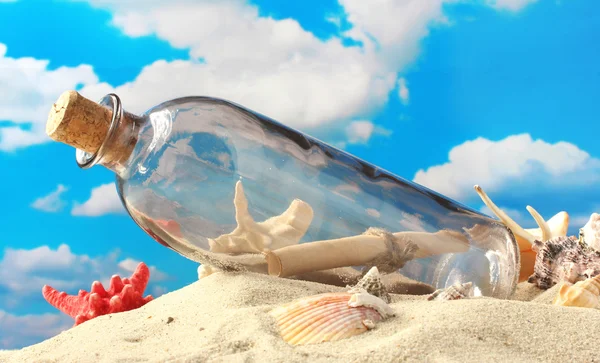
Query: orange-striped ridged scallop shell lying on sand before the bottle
(329, 317)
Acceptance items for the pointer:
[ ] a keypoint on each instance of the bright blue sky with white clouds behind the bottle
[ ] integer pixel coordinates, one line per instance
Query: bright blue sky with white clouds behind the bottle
(446, 93)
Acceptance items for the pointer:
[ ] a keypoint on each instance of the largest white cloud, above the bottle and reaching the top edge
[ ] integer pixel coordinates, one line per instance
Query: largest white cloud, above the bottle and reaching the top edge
(273, 66)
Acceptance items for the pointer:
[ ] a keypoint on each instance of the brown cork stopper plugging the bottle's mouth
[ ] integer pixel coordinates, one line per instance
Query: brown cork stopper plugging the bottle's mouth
(78, 122)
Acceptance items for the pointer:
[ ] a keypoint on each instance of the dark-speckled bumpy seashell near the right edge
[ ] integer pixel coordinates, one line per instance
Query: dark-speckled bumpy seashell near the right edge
(563, 259)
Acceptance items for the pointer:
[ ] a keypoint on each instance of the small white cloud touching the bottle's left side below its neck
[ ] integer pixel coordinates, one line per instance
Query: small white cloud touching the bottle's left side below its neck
(103, 200)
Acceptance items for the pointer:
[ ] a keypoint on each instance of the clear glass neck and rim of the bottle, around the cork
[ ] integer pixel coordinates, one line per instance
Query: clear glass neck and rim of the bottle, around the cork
(119, 142)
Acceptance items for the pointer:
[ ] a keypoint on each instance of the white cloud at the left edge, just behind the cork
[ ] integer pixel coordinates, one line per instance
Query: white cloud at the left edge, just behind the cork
(28, 91)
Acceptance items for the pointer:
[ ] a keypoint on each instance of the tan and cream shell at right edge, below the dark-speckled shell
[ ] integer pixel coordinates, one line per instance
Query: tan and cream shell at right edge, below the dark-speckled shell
(581, 294)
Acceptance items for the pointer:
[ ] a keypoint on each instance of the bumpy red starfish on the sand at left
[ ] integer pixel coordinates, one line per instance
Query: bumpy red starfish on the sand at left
(123, 295)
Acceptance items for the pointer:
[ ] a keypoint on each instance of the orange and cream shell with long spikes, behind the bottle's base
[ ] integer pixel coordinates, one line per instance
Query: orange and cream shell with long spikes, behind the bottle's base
(556, 226)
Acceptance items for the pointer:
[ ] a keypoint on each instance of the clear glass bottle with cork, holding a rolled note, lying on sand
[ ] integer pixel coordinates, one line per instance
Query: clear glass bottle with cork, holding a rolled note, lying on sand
(236, 191)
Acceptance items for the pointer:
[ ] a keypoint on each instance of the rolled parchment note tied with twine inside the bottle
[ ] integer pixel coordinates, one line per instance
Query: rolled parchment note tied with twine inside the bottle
(362, 250)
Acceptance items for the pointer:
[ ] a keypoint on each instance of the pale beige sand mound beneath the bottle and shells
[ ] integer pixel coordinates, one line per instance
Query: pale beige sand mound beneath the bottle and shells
(224, 318)
